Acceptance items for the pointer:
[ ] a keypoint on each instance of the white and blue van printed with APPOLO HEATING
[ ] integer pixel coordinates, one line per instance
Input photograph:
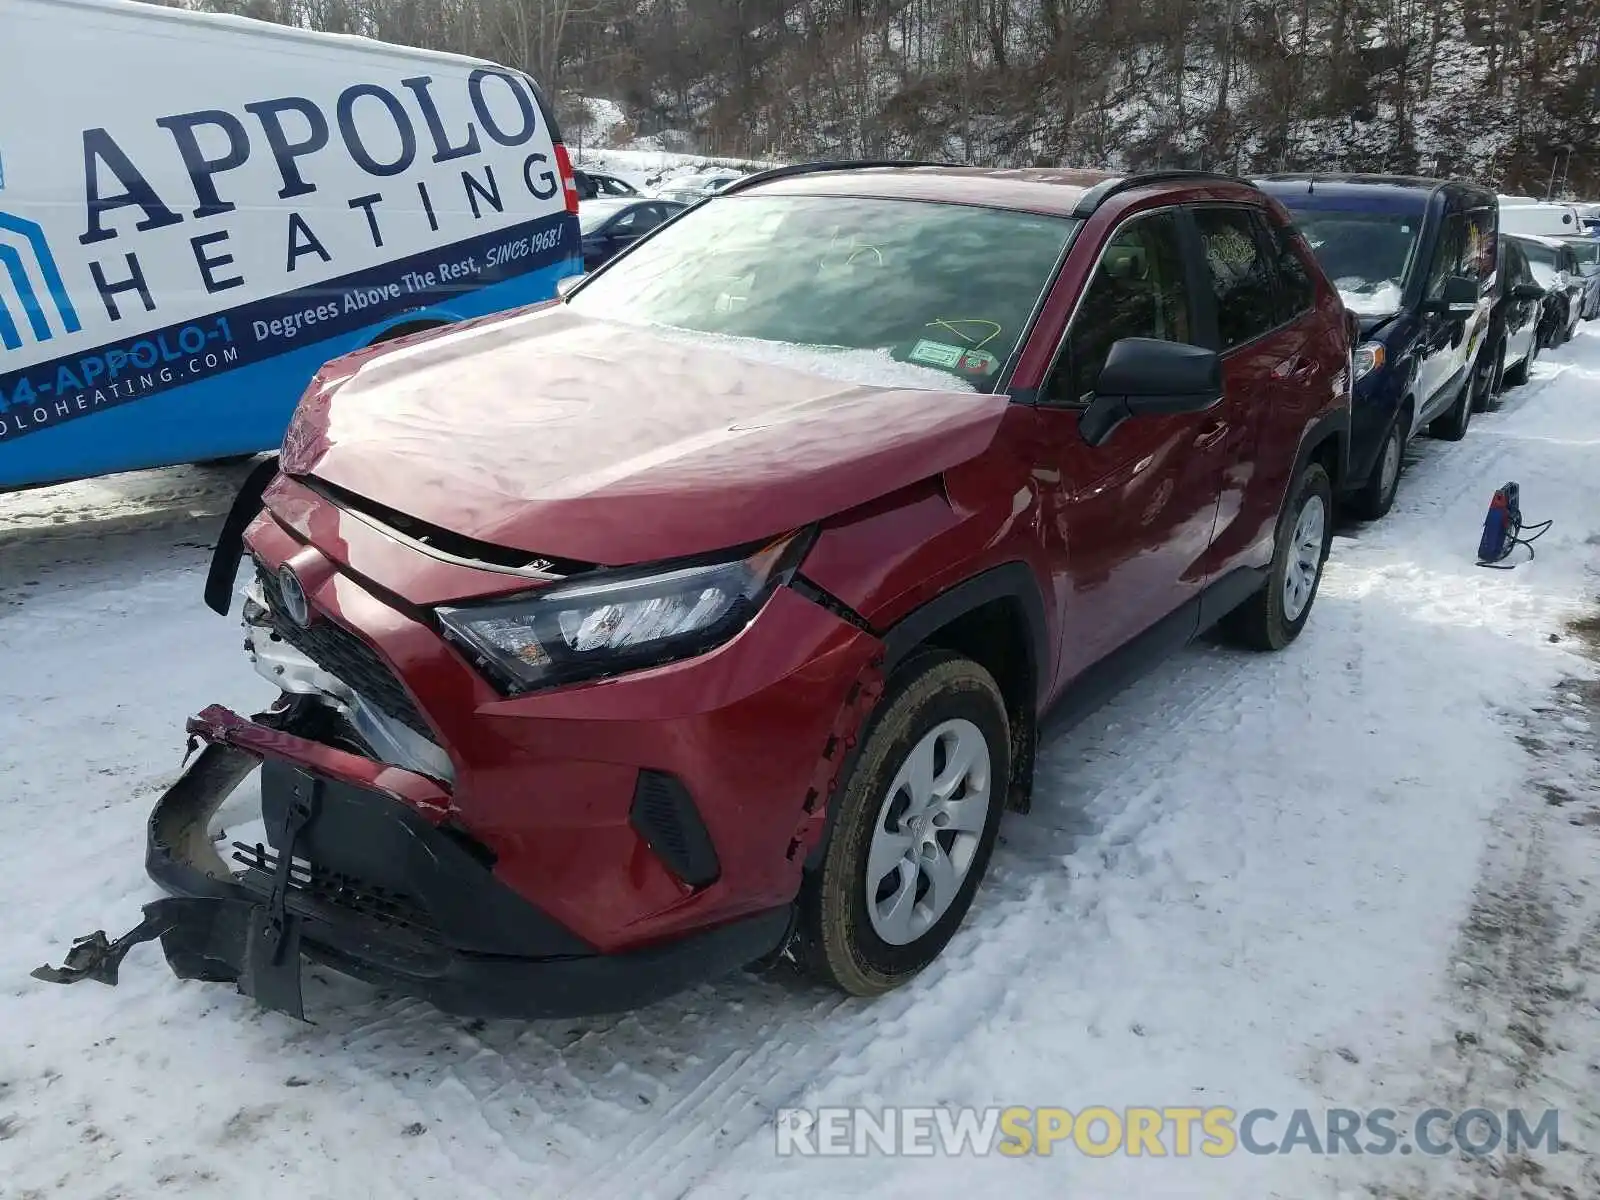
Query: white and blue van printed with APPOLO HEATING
(199, 210)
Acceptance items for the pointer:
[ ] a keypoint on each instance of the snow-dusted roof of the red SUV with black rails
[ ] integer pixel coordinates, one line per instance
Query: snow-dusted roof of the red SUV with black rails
(1038, 190)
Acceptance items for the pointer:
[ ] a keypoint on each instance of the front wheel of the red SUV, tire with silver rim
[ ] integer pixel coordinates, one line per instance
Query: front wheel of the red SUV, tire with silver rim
(854, 932)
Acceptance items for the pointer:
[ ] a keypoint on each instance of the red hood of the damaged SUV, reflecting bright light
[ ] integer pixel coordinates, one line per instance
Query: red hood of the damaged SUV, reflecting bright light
(582, 439)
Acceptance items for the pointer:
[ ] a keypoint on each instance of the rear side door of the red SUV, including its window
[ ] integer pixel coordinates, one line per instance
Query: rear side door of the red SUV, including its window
(1274, 374)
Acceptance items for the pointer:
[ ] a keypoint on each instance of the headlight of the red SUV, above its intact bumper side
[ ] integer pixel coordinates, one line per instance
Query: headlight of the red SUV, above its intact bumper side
(615, 622)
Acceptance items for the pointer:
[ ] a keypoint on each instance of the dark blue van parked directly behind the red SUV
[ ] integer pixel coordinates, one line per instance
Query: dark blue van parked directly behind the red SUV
(1415, 262)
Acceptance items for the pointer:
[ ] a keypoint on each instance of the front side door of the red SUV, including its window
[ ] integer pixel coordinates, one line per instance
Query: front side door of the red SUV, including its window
(1129, 522)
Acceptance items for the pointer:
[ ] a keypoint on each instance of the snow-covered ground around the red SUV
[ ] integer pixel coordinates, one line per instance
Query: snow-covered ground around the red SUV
(1359, 874)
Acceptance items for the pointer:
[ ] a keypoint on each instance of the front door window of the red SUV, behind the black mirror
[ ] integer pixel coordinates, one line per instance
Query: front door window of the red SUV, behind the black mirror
(1137, 292)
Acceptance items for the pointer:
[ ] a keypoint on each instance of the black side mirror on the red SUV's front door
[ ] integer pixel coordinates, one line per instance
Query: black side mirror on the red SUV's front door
(1146, 377)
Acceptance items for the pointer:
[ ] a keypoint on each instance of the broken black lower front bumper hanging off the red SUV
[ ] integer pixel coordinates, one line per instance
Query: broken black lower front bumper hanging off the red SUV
(366, 871)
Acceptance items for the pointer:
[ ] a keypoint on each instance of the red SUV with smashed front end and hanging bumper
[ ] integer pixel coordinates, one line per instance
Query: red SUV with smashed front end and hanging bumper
(713, 609)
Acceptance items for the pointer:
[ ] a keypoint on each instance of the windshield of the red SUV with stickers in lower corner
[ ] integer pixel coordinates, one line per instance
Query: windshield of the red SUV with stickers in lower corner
(945, 289)
